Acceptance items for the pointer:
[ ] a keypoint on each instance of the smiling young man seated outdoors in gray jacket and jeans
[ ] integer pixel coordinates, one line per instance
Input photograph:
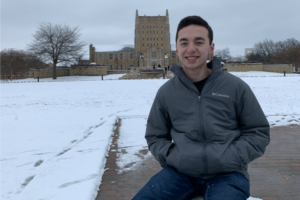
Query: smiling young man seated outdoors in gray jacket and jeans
(204, 127)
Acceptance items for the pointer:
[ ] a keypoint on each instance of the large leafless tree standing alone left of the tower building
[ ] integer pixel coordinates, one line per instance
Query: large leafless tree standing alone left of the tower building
(59, 43)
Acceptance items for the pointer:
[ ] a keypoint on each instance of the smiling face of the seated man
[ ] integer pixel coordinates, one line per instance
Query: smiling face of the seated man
(193, 46)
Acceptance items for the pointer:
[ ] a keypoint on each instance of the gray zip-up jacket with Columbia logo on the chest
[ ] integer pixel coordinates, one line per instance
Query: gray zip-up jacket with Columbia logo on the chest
(217, 132)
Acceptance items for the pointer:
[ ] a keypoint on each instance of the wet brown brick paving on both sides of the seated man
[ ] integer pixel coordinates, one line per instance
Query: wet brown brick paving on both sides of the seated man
(275, 176)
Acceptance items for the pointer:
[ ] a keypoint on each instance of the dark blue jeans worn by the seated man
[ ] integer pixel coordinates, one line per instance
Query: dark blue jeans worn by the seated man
(169, 184)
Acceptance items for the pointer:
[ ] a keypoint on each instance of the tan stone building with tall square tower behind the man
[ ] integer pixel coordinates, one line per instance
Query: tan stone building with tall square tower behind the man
(152, 46)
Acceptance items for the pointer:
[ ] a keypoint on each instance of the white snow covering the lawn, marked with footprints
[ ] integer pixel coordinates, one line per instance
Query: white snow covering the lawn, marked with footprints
(55, 135)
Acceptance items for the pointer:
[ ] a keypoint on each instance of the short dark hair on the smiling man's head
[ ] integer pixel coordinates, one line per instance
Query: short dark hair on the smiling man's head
(194, 20)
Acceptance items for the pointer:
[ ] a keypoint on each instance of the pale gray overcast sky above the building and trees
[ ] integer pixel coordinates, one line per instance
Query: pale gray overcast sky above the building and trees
(237, 24)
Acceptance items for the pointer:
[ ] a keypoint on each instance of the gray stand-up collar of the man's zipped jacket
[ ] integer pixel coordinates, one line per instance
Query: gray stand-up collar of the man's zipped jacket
(214, 65)
